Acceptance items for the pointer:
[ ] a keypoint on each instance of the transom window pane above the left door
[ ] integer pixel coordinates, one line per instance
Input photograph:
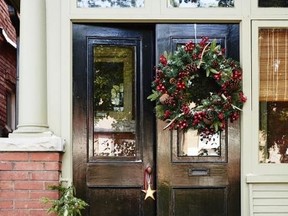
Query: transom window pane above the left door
(110, 3)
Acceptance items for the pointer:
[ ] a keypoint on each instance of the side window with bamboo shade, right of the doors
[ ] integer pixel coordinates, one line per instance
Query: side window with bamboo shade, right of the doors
(273, 96)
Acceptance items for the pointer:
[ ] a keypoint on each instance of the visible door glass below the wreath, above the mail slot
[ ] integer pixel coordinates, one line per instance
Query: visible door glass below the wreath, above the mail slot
(192, 144)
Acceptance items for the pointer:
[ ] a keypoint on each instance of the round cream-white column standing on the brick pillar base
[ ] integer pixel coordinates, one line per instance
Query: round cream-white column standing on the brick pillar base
(32, 68)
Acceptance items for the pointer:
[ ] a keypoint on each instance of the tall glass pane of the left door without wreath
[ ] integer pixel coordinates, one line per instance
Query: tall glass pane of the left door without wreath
(114, 122)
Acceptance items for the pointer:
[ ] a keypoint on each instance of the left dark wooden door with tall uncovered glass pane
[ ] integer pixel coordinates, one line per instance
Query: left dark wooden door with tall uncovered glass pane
(113, 128)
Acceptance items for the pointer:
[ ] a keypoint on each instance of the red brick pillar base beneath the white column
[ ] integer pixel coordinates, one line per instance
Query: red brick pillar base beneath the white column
(24, 180)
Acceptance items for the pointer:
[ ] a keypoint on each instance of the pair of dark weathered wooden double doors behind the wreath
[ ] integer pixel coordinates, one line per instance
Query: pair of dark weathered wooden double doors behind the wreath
(119, 152)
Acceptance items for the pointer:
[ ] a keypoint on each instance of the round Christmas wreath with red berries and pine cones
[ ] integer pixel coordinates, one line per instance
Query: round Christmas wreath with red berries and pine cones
(197, 87)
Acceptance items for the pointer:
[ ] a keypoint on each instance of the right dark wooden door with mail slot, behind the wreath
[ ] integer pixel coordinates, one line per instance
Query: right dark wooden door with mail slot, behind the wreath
(189, 183)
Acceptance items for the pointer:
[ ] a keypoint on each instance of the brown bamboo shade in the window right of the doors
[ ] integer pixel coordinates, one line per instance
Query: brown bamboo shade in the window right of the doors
(273, 64)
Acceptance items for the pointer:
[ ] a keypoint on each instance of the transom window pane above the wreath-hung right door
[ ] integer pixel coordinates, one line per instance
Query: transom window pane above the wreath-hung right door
(200, 3)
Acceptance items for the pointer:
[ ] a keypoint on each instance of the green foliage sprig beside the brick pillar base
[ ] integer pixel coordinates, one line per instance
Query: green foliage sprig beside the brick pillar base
(67, 204)
